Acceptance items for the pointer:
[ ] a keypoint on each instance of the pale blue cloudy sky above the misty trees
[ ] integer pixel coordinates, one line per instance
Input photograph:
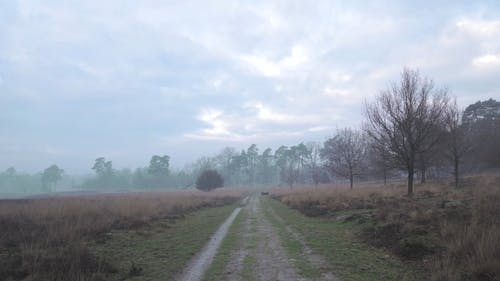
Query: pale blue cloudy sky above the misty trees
(129, 79)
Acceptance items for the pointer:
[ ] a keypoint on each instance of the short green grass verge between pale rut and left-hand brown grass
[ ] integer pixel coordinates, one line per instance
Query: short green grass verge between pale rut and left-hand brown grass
(162, 249)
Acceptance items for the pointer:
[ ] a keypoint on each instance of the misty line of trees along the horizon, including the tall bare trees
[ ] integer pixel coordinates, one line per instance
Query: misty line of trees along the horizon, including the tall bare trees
(412, 129)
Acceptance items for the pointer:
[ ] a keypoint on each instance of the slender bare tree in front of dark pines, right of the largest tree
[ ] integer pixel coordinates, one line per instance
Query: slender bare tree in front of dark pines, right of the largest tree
(457, 144)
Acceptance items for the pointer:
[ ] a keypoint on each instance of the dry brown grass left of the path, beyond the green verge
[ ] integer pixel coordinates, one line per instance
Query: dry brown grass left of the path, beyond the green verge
(45, 239)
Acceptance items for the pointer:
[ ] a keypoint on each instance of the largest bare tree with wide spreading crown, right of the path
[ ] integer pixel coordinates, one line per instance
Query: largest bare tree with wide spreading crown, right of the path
(403, 119)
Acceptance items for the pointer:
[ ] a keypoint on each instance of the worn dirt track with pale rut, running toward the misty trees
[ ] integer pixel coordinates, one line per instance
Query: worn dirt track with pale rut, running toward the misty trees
(260, 254)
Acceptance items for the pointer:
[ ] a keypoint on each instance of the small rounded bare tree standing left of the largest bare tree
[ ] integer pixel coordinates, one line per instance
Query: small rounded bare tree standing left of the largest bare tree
(345, 153)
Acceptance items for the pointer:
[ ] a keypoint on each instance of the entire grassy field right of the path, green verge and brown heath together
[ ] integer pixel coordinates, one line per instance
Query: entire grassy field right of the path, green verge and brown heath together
(454, 234)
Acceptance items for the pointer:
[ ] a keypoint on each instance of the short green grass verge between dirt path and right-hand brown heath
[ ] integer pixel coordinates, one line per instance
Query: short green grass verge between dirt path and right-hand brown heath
(337, 241)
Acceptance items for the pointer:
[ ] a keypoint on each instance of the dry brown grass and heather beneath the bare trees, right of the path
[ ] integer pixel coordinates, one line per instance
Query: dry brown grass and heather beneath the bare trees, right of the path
(454, 232)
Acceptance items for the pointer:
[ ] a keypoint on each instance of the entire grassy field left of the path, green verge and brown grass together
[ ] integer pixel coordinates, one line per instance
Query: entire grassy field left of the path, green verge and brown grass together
(88, 237)
